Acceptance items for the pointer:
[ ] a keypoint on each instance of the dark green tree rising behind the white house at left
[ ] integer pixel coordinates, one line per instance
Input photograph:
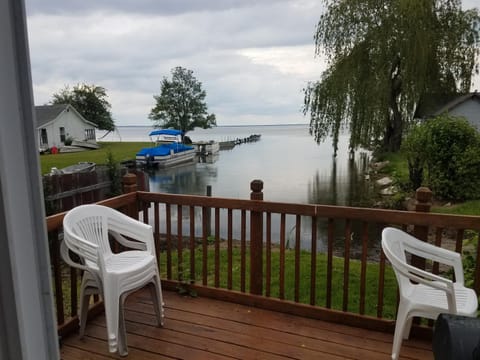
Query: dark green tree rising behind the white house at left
(90, 101)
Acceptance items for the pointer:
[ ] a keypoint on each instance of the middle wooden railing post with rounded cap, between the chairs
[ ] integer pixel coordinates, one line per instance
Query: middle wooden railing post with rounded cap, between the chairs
(256, 241)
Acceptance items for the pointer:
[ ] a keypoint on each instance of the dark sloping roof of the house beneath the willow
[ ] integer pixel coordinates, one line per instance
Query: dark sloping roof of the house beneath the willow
(436, 104)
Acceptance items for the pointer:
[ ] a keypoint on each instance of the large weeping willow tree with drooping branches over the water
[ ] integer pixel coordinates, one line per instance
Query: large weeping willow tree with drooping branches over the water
(383, 57)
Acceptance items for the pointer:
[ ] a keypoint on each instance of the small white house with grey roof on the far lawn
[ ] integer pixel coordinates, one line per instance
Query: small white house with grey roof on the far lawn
(57, 124)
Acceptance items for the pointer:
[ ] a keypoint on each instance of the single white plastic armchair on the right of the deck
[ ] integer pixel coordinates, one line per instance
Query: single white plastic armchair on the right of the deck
(422, 293)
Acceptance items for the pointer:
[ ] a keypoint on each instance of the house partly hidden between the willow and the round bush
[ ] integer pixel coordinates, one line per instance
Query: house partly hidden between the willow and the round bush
(465, 105)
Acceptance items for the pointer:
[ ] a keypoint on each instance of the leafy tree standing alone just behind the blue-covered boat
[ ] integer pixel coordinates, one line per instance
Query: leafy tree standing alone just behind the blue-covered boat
(181, 103)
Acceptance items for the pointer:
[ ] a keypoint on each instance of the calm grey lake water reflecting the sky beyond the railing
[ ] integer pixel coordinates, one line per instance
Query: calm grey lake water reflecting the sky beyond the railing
(292, 166)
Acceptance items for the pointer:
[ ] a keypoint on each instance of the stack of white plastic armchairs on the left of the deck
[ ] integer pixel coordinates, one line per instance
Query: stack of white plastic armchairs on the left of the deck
(112, 275)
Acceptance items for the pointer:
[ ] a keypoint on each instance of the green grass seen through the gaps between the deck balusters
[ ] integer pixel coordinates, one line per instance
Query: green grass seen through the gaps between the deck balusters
(371, 300)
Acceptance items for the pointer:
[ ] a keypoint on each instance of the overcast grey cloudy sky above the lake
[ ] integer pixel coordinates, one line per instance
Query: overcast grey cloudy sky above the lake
(253, 57)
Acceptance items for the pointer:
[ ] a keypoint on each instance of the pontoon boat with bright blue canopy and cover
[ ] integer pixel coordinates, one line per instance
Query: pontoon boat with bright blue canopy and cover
(169, 150)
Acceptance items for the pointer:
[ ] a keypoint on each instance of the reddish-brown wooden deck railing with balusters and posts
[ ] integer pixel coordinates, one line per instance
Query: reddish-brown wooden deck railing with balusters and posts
(319, 261)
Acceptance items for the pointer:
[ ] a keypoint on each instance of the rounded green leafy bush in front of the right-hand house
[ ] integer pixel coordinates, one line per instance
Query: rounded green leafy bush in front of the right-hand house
(443, 153)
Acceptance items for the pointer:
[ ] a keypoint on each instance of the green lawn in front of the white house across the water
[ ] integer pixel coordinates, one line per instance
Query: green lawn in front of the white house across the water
(121, 151)
